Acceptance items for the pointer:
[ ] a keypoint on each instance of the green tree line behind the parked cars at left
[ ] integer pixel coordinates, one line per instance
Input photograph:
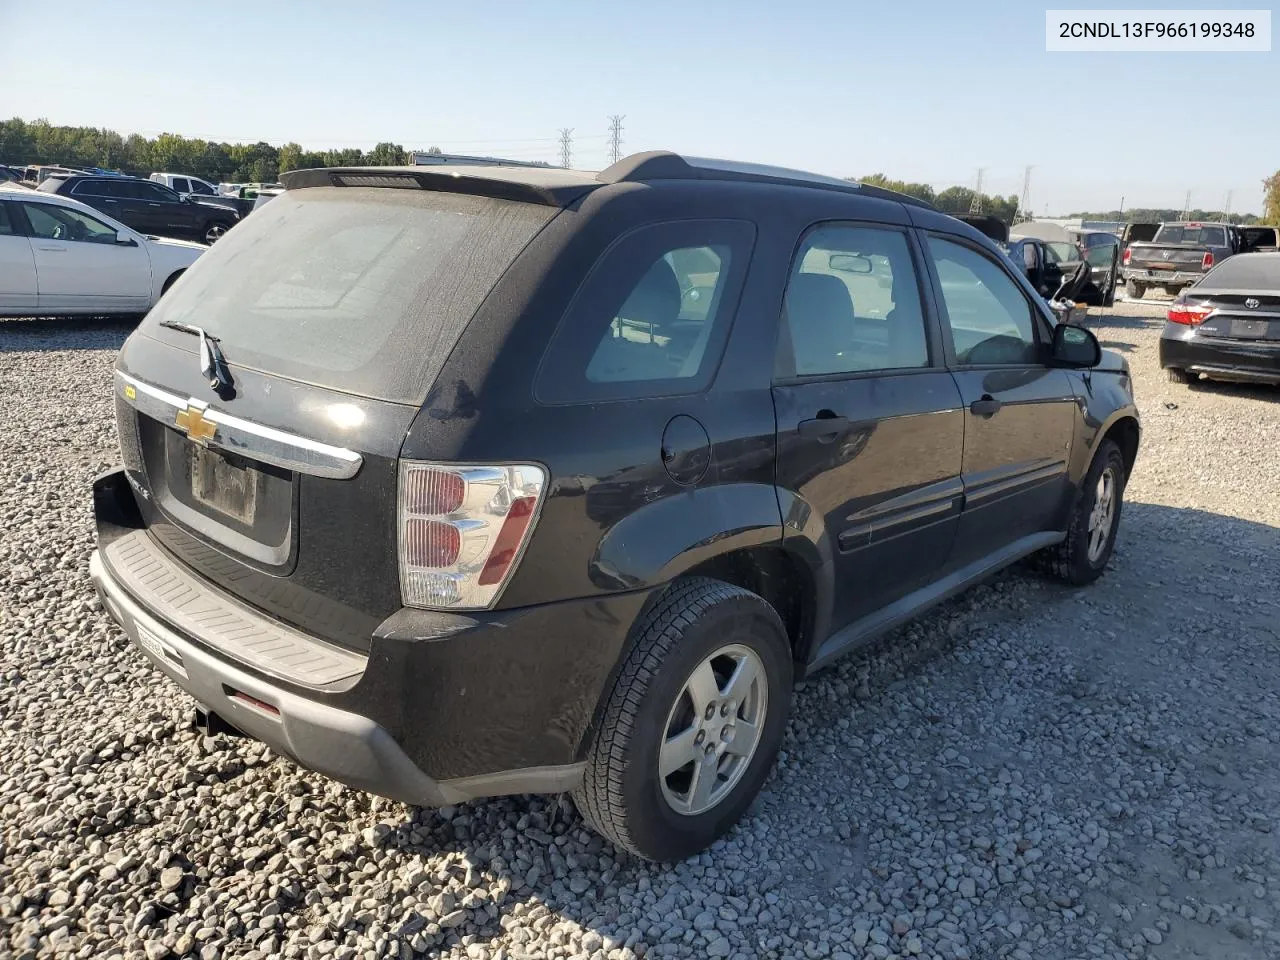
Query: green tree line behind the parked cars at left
(42, 143)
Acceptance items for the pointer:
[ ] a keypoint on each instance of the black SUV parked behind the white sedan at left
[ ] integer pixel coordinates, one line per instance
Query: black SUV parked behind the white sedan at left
(148, 208)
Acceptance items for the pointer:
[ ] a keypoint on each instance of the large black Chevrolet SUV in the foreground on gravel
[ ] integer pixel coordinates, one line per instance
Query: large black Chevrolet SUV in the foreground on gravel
(501, 481)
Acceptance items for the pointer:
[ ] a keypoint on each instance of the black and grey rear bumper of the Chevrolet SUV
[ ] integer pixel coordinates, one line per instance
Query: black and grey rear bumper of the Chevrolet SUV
(444, 708)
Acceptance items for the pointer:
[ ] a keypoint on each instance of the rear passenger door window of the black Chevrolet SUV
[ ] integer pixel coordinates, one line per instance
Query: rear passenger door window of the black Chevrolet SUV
(853, 304)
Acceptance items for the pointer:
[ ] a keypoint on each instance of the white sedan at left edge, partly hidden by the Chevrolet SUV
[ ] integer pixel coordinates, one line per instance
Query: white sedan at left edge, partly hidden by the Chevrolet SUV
(60, 258)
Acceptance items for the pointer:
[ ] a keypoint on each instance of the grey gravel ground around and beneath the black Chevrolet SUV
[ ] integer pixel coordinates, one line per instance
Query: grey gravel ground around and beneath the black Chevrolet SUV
(1030, 772)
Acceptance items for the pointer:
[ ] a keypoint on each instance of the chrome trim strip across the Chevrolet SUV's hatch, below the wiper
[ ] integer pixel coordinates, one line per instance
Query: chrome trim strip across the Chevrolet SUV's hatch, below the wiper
(240, 436)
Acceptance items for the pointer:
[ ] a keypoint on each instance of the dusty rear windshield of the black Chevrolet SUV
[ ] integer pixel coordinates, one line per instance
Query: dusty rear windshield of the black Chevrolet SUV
(359, 290)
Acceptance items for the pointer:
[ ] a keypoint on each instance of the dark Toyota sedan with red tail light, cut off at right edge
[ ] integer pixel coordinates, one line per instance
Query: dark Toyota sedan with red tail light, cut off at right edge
(1227, 327)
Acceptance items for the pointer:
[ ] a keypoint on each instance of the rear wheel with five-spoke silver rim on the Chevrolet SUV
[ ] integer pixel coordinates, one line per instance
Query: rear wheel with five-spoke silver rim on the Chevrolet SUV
(623, 794)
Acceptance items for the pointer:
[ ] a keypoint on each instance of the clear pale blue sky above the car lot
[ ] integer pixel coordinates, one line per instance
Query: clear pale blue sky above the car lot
(924, 92)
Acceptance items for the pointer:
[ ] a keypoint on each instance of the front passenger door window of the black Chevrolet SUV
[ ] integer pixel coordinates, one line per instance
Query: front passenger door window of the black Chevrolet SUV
(990, 319)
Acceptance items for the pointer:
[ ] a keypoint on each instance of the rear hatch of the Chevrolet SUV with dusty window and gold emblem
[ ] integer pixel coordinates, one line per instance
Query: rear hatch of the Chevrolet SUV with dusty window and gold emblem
(335, 309)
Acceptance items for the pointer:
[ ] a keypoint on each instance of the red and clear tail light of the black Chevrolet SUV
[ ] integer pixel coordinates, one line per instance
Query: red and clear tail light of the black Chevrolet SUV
(463, 531)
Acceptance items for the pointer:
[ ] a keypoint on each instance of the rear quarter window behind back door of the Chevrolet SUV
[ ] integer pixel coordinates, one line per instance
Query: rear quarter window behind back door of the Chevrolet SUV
(652, 317)
